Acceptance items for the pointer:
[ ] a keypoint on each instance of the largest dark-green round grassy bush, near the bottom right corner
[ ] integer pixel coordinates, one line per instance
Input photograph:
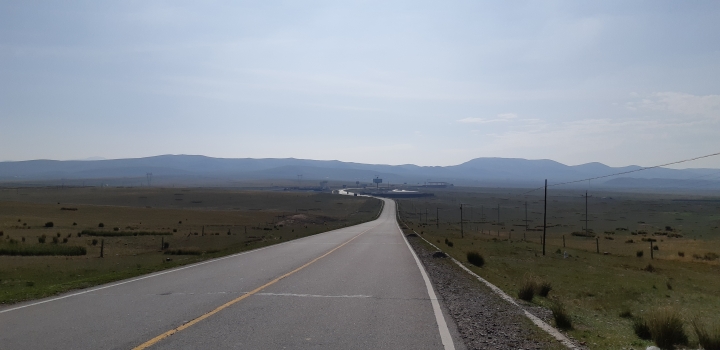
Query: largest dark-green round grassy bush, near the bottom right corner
(666, 328)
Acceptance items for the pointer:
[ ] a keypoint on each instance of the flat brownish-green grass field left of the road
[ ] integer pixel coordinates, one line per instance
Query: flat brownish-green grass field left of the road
(195, 224)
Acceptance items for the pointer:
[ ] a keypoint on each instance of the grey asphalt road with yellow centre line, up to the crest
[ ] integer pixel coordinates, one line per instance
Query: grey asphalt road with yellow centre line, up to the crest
(359, 287)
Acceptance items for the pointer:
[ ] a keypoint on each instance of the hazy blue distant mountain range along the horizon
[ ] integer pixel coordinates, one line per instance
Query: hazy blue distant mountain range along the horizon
(477, 172)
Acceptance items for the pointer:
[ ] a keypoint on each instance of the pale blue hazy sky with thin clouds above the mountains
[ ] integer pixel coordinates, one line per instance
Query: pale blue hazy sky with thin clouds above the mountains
(430, 83)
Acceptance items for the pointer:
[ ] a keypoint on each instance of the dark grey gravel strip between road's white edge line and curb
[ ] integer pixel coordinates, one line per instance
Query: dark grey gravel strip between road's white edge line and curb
(483, 319)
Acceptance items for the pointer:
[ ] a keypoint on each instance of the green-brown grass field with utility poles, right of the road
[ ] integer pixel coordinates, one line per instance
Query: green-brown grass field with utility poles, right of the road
(602, 292)
